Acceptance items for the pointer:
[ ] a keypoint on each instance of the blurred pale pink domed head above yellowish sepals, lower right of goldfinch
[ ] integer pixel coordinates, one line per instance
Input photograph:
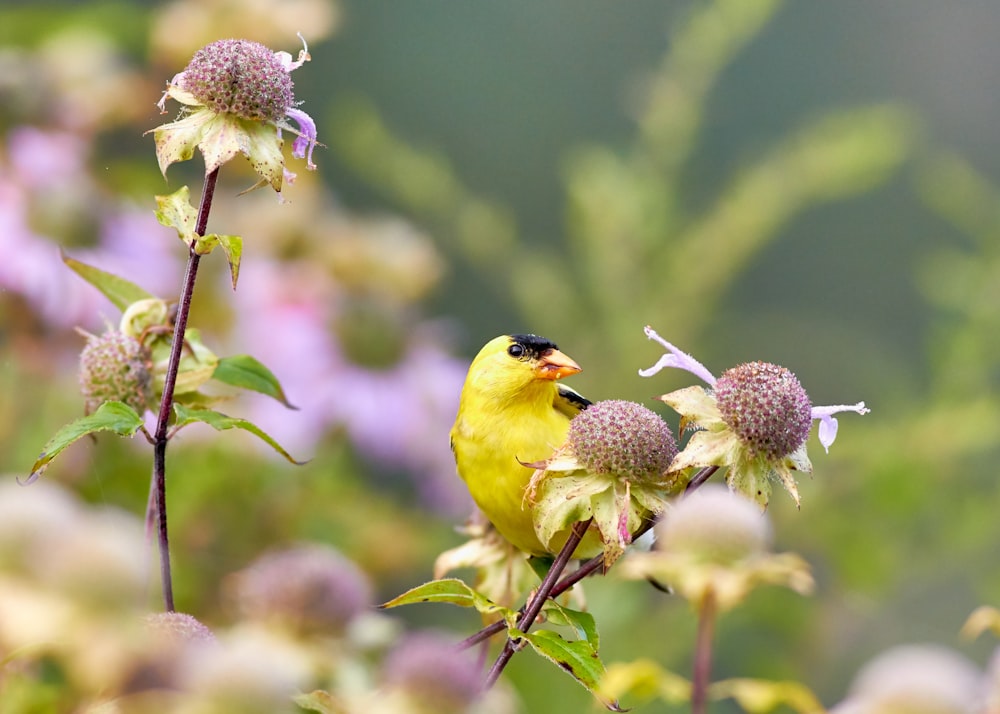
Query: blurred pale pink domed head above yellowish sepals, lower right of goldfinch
(714, 525)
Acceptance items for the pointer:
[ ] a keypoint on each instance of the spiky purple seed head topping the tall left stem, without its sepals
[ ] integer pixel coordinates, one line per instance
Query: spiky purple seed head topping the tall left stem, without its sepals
(240, 77)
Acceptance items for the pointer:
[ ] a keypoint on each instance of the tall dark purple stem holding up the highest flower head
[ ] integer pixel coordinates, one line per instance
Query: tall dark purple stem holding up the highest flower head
(159, 484)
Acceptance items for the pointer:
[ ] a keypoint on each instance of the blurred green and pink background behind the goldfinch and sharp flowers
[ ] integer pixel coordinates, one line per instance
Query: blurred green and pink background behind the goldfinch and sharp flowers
(811, 184)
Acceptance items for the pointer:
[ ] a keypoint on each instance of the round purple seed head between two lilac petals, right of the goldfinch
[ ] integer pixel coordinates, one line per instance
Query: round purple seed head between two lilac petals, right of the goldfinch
(766, 406)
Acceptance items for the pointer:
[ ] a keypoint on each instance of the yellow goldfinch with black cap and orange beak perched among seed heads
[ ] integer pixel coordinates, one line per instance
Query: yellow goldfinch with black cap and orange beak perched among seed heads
(513, 412)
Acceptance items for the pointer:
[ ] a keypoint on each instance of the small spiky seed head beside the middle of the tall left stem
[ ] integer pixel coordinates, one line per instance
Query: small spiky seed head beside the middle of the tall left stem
(115, 366)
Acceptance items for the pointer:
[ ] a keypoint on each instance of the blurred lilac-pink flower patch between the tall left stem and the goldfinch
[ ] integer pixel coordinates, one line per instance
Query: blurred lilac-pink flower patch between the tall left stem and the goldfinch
(399, 416)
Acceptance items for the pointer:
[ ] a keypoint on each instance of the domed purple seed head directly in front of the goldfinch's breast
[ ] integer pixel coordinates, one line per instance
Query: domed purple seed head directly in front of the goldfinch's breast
(622, 439)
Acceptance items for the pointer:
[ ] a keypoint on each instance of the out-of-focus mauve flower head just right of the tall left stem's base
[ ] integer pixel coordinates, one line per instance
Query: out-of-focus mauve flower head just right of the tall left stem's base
(310, 587)
